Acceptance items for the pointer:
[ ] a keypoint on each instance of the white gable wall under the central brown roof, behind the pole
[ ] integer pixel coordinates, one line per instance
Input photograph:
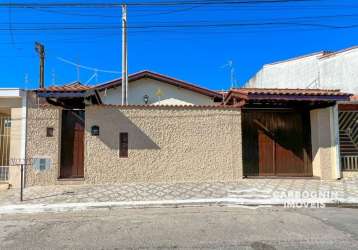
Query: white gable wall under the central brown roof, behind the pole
(137, 89)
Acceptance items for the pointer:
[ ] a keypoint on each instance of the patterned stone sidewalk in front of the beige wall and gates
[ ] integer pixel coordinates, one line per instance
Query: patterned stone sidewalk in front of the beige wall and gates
(247, 189)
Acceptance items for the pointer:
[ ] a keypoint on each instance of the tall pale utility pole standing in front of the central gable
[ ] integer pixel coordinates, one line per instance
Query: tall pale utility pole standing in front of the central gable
(124, 56)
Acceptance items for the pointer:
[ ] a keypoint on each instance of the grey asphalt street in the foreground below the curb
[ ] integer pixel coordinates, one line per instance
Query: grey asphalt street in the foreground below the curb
(183, 228)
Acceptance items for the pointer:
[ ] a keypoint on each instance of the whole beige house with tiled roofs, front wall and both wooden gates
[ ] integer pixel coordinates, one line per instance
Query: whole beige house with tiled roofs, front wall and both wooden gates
(86, 136)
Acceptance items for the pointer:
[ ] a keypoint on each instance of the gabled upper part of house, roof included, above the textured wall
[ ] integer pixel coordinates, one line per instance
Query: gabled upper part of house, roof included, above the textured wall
(146, 87)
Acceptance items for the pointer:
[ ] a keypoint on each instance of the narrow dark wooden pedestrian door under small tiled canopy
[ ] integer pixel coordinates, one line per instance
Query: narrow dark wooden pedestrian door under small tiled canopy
(72, 144)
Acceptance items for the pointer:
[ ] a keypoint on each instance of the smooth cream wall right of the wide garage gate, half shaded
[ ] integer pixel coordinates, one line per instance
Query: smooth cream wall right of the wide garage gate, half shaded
(324, 144)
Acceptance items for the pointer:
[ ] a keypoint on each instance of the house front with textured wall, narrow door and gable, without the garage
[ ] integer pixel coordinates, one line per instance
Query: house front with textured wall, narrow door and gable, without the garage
(187, 136)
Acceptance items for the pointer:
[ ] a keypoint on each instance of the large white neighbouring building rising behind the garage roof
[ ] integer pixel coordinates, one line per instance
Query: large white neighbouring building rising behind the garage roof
(331, 70)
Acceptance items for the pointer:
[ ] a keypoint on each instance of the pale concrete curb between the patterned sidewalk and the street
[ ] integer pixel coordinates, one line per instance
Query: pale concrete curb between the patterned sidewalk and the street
(247, 203)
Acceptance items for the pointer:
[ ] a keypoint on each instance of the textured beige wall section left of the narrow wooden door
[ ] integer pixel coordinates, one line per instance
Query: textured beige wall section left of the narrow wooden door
(40, 146)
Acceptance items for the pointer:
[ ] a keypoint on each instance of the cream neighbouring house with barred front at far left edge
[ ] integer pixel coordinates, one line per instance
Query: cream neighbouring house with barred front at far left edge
(12, 133)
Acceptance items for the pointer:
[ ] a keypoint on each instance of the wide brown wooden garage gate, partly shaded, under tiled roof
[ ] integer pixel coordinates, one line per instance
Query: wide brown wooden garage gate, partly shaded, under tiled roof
(276, 143)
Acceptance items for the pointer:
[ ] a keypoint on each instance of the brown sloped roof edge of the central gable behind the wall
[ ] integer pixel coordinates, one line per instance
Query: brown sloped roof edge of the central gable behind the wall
(161, 78)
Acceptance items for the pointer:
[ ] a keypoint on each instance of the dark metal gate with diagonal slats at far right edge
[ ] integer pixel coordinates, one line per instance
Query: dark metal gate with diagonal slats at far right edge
(348, 139)
